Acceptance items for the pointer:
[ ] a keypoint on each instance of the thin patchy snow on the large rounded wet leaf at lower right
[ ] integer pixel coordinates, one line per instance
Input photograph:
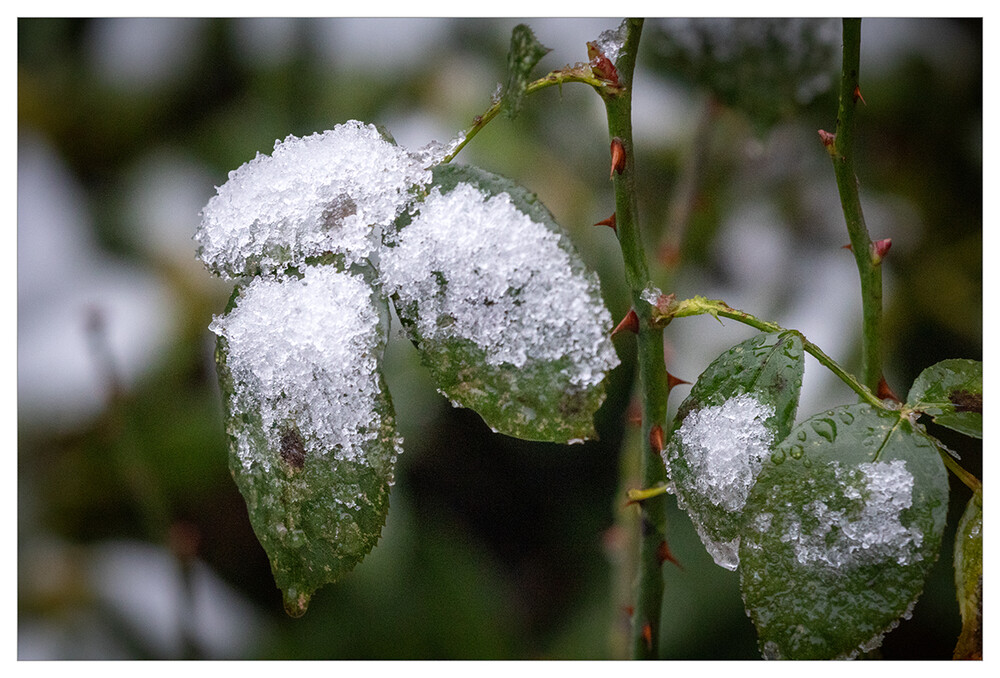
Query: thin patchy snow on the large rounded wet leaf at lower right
(869, 530)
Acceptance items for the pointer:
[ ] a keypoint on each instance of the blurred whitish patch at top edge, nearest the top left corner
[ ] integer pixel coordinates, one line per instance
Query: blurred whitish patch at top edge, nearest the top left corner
(140, 53)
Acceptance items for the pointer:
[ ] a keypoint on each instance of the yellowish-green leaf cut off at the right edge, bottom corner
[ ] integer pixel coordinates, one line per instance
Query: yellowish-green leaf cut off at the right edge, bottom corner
(969, 579)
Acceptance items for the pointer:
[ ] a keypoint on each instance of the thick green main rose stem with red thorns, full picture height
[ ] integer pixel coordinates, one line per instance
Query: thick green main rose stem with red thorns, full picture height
(652, 372)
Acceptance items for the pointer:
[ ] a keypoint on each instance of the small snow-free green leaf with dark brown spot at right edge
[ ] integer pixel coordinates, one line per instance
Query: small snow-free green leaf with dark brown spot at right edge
(951, 392)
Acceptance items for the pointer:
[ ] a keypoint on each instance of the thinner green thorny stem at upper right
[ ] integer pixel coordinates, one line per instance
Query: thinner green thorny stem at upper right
(841, 149)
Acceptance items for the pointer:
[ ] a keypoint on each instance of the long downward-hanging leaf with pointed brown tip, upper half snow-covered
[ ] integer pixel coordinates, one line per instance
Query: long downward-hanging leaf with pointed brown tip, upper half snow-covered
(310, 423)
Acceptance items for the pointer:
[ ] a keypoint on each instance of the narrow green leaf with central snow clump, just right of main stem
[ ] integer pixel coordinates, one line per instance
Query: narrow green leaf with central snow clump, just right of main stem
(739, 408)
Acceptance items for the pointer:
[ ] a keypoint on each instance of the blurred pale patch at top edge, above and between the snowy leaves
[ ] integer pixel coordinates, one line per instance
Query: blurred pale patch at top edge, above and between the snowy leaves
(379, 44)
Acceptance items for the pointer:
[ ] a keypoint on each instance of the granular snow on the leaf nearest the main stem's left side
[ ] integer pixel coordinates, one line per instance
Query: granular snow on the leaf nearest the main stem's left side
(479, 269)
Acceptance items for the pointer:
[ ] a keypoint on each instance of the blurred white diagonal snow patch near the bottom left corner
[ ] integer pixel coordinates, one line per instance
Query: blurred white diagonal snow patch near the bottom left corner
(144, 585)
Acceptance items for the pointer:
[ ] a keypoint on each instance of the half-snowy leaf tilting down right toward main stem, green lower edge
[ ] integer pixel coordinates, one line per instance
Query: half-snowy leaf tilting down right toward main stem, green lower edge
(501, 307)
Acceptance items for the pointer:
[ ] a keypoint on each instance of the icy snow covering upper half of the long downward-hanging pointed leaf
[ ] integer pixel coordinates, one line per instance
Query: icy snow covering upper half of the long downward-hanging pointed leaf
(303, 355)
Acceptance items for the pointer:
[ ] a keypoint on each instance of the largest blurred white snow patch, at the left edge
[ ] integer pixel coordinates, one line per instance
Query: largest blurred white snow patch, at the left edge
(66, 285)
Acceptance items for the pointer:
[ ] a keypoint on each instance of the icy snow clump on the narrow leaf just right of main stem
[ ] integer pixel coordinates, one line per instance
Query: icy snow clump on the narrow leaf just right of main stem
(724, 447)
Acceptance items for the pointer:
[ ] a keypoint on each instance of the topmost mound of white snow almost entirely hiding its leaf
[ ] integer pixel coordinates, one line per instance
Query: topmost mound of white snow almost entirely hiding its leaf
(327, 193)
